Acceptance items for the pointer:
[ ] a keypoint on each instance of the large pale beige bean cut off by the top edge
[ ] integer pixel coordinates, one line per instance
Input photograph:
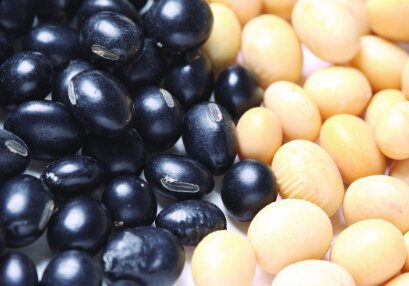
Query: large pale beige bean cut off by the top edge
(327, 28)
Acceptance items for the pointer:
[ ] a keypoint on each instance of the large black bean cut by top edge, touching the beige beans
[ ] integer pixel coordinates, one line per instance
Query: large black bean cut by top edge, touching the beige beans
(179, 25)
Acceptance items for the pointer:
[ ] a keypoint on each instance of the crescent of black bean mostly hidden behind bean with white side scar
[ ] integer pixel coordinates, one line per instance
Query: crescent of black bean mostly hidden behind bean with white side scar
(60, 91)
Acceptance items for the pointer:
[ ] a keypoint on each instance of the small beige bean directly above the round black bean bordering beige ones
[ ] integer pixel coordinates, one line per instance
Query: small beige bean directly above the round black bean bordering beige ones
(259, 134)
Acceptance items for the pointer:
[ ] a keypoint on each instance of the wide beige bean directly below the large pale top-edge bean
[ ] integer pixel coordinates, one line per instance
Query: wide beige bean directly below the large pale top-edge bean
(349, 90)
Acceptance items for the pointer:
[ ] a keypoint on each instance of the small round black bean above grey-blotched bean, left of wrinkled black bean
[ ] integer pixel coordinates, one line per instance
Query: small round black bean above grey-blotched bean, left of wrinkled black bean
(130, 202)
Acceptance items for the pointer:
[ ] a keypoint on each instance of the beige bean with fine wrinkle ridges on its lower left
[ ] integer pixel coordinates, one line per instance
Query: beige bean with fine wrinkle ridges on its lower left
(300, 167)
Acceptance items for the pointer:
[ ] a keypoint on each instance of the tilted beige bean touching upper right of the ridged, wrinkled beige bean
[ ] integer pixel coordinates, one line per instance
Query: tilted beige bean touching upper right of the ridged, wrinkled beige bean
(351, 143)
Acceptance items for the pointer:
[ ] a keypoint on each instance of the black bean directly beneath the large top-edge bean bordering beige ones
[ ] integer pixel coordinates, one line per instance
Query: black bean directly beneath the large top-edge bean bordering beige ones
(190, 79)
